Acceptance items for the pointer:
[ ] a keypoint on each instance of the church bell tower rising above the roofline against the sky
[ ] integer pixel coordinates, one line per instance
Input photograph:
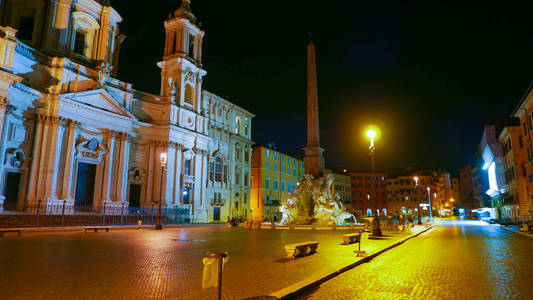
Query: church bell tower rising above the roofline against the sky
(181, 68)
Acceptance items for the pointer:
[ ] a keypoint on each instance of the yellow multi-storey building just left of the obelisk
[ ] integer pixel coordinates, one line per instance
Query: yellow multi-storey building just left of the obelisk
(274, 176)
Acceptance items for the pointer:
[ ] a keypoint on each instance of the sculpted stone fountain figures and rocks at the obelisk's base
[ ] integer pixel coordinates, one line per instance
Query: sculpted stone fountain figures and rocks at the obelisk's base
(313, 203)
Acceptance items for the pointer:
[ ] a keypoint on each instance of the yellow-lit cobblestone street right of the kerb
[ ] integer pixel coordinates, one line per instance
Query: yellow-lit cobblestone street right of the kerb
(458, 260)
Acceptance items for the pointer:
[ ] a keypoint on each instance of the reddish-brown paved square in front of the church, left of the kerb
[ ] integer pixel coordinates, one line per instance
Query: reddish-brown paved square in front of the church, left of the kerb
(148, 264)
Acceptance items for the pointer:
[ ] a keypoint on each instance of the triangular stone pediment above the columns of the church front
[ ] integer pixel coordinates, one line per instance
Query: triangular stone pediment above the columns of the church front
(101, 99)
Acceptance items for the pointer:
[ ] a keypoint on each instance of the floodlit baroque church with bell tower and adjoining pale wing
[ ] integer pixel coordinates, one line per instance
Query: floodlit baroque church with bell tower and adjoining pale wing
(73, 135)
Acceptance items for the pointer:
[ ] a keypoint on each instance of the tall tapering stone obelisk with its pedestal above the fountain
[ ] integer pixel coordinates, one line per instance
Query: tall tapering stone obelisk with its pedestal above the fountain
(313, 160)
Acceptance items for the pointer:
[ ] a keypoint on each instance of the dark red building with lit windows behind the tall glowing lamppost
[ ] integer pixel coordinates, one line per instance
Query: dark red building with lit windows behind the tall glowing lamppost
(362, 193)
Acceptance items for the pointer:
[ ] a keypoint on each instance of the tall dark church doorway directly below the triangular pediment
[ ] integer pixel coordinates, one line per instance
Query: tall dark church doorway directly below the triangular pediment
(85, 180)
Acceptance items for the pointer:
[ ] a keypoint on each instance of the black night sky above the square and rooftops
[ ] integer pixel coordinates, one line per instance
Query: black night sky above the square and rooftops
(430, 73)
